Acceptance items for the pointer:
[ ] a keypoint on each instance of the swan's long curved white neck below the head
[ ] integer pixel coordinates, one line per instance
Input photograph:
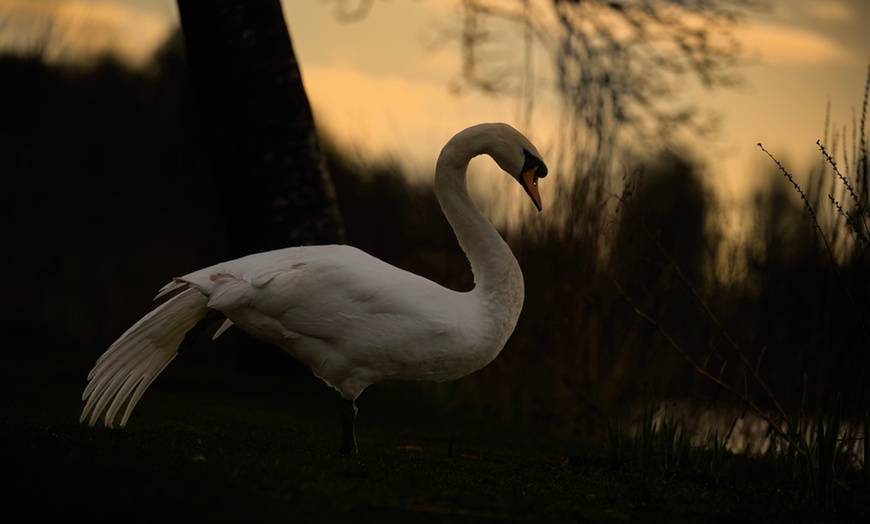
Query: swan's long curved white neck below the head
(497, 276)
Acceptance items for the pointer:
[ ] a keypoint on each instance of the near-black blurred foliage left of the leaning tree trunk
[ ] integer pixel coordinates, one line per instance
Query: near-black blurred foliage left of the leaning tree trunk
(105, 196)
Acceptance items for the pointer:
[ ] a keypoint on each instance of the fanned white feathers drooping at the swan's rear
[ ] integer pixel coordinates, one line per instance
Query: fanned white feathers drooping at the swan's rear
(130, 365)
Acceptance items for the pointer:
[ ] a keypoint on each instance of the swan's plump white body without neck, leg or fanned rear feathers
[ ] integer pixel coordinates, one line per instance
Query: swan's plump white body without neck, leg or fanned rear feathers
(352, 318)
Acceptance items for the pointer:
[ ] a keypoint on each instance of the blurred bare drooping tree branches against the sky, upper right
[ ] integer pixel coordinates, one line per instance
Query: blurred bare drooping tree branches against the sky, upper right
(614, 61)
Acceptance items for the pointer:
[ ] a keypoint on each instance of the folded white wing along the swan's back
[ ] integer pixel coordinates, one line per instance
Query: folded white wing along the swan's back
(312, 290)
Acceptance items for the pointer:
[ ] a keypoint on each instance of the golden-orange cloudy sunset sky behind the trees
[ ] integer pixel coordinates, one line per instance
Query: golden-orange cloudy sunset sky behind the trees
(383, 84)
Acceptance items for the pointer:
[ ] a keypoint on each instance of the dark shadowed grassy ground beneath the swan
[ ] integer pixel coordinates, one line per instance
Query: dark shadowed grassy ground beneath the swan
(223, 446)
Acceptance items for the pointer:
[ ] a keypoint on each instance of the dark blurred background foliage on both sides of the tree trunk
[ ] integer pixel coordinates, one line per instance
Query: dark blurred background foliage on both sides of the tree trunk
(106, 197)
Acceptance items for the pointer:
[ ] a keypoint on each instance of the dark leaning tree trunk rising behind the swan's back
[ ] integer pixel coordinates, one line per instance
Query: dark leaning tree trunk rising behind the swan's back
(274, 185)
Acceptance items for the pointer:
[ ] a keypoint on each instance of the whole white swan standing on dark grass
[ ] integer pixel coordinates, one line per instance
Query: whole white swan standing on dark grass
(353, 319)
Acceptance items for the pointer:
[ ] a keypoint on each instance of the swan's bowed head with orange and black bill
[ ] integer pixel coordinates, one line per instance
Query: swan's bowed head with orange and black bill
(514, 153)
